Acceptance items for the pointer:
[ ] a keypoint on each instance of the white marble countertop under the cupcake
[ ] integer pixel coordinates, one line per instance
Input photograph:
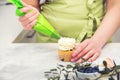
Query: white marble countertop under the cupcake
(30, 61)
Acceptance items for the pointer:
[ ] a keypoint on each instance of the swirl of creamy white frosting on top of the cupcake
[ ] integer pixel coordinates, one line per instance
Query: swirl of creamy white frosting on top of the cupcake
(66, 43)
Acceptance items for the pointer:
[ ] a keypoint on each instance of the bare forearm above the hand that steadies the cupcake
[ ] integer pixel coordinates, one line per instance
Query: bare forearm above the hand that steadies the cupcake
(109, 25)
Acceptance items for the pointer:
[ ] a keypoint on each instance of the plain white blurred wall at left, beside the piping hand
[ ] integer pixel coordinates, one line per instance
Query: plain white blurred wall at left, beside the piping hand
(9, 25)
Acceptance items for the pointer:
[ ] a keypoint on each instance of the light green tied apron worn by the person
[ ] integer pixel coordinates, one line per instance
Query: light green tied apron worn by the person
(72, 18)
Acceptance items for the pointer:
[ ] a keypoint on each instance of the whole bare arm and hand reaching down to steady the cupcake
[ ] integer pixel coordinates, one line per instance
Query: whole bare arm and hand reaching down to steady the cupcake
(90, 49)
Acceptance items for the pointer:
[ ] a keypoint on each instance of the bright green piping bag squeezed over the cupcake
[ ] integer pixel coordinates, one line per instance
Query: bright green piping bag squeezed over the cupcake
(42, 25)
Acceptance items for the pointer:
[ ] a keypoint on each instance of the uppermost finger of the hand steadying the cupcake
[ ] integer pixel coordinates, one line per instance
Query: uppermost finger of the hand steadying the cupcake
(80, 48)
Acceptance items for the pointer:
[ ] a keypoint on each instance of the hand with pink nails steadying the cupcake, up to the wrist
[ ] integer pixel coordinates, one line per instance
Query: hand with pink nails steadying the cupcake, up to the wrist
(88, 49)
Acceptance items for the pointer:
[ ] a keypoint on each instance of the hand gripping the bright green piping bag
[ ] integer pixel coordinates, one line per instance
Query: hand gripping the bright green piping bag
(30, 18)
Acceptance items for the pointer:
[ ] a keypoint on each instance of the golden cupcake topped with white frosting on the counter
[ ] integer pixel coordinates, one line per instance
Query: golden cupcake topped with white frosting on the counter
(66, 47)
